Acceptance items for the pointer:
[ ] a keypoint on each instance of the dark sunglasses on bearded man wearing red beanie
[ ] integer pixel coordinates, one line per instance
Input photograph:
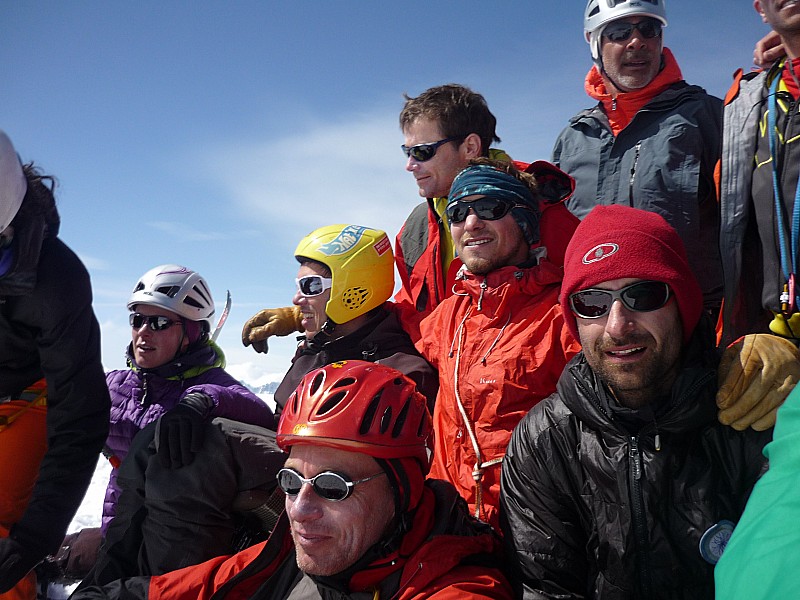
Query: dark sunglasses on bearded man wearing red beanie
(642, 296)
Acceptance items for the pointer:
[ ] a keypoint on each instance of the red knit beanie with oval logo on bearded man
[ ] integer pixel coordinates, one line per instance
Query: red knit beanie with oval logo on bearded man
(620, 242)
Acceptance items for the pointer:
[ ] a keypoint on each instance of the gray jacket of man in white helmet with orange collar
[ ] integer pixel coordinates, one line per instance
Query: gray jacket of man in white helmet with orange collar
(663, 162)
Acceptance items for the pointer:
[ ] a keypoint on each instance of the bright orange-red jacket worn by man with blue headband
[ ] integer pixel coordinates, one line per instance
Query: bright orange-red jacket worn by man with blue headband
(499, 350)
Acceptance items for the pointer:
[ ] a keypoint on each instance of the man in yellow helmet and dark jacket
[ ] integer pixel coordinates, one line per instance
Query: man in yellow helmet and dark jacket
(346, 276)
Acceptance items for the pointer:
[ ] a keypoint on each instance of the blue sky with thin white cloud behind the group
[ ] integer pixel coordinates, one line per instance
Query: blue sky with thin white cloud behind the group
(217, 134)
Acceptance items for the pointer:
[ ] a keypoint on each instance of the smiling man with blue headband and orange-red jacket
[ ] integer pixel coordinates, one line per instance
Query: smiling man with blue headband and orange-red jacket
(499, 341)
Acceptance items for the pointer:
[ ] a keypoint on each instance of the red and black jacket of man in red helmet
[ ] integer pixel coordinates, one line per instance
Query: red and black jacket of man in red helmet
(445, 555)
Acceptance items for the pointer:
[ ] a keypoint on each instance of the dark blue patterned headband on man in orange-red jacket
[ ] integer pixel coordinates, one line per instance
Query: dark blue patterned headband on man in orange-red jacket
(485, 180)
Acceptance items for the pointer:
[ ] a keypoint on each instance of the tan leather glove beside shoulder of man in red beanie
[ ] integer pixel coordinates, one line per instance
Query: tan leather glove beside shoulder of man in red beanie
(755, 375)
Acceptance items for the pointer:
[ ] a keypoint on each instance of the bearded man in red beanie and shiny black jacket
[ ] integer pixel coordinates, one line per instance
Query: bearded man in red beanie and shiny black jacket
(623, 484)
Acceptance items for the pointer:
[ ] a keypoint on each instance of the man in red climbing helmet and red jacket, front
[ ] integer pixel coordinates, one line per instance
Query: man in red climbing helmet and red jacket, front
(361, 521)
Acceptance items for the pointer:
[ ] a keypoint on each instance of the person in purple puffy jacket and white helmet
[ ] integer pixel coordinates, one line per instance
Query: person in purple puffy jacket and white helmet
(176, 377)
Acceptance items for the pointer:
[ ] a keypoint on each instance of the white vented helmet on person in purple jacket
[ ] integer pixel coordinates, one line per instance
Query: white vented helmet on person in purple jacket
(176, 289)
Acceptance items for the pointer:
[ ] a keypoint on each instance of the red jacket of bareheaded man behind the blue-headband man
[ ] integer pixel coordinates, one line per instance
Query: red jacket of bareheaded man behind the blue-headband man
(418, 245)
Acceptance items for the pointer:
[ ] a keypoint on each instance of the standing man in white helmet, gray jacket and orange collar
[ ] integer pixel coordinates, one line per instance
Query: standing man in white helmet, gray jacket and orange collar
(652, 141)
